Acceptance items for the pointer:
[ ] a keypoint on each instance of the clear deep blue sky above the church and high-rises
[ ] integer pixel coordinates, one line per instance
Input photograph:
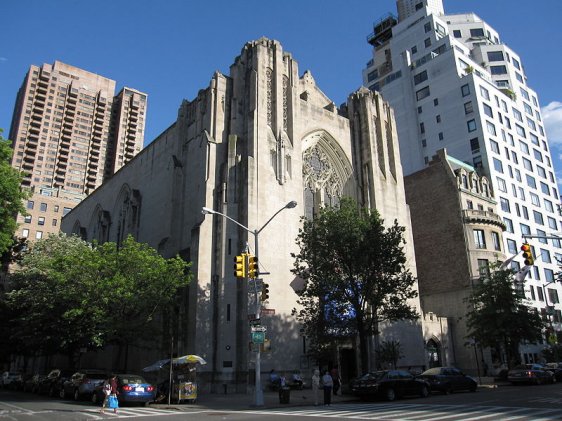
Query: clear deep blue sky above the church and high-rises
(170, 48)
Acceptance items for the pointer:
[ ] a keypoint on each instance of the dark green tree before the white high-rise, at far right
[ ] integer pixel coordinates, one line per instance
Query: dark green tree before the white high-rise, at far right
(497, 316)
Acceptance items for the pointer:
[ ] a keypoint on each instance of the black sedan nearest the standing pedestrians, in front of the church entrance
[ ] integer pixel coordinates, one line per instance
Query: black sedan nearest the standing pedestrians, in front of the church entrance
(389, 385)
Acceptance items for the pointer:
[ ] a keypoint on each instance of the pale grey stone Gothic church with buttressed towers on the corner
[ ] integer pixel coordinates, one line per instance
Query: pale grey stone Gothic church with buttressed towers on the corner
(248, 144)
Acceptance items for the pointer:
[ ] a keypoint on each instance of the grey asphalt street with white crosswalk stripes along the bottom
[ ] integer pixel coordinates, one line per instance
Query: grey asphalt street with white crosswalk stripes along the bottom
(504, 403)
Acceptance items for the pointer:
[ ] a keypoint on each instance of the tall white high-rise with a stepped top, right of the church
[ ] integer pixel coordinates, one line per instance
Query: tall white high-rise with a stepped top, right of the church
(454, 84)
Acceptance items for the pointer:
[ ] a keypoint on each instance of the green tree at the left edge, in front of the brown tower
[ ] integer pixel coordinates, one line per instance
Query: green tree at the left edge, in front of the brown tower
(11, 195)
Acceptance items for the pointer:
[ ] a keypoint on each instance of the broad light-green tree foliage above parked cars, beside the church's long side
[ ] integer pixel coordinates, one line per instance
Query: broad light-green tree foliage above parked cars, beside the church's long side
(70, 294)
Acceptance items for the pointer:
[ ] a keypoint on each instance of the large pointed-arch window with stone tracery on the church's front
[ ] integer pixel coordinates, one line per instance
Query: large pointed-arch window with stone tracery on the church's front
(326, 172)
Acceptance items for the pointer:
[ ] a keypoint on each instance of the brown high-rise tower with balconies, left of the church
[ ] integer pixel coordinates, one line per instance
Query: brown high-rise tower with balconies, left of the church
(70, 132)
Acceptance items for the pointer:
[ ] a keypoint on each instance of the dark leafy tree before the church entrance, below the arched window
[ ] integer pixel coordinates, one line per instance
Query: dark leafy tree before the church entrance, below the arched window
(355, 276)
